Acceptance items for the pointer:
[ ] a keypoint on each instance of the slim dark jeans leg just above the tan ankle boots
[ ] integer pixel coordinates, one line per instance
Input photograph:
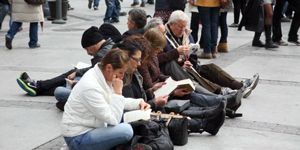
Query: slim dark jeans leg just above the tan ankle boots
(223, 27)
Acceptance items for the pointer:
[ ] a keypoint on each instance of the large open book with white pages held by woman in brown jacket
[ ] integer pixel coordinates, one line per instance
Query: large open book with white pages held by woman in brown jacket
(171, 85)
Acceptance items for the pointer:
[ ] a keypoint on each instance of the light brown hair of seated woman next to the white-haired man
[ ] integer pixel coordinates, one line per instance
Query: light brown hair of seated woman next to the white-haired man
(157, 41)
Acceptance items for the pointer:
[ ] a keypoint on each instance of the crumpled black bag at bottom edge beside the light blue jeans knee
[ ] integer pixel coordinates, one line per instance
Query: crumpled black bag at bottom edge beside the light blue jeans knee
(154, 134)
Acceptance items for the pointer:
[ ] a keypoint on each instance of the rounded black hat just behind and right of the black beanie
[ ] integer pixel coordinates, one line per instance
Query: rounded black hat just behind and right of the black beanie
(110, 31)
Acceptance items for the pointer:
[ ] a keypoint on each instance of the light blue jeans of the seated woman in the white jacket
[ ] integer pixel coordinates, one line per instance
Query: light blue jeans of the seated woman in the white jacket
(101, 138)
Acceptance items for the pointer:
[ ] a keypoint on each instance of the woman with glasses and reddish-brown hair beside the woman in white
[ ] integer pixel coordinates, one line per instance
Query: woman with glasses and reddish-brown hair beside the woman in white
(135, 46)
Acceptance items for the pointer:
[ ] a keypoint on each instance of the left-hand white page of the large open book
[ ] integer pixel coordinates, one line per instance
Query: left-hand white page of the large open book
(167, 88)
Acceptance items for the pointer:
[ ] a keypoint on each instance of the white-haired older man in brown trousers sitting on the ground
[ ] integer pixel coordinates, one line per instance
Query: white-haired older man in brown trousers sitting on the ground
(213, 78)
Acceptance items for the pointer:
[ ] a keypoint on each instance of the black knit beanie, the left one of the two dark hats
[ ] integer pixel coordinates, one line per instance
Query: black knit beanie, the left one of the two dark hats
(90, 37)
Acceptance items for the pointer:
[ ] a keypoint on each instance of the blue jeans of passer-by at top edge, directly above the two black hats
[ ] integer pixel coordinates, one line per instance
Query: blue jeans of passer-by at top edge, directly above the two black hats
(112, 11)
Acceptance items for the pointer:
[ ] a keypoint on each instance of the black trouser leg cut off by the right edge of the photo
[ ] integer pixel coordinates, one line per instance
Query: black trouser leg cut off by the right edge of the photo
(294, 27)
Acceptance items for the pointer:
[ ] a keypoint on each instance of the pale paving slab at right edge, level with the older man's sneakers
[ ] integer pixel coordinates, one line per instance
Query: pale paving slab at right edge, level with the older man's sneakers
(268, 68)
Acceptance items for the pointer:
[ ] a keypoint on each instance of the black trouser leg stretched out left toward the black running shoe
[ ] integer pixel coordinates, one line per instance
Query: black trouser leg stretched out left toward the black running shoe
(47, 87)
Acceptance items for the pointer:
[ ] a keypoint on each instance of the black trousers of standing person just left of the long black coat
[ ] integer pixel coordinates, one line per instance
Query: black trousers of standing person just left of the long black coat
(239, 6)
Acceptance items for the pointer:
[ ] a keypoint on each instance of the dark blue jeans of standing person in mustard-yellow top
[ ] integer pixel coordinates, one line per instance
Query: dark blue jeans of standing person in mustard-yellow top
(209, 17)
